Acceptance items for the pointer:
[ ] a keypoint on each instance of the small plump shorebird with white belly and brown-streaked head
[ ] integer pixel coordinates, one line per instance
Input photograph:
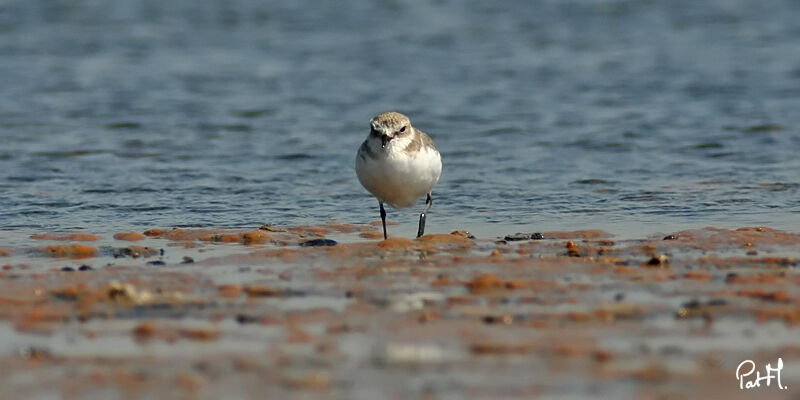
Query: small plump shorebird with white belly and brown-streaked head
(398, 164)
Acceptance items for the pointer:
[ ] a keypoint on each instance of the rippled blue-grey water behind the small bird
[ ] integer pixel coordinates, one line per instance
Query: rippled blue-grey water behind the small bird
(628, 116)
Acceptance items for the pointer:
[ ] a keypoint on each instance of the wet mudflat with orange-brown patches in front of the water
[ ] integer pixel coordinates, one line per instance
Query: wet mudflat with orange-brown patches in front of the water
(333, 311)
